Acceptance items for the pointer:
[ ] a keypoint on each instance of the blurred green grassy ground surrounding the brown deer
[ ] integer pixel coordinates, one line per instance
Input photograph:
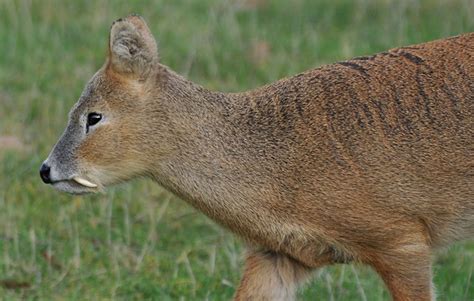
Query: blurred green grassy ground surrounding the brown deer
(137, 241)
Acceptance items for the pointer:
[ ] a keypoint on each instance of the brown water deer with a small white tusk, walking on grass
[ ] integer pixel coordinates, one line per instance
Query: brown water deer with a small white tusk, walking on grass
(368, 160)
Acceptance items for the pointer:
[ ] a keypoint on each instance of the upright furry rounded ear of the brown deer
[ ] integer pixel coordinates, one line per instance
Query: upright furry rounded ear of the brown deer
(132, 48)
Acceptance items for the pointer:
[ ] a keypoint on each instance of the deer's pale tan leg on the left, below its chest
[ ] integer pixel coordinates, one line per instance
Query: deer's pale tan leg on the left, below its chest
(270, 276)
